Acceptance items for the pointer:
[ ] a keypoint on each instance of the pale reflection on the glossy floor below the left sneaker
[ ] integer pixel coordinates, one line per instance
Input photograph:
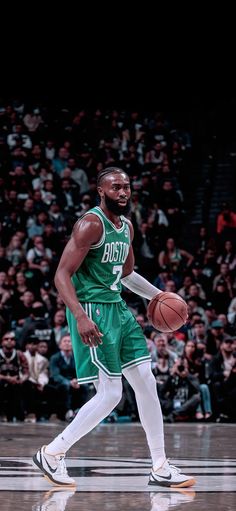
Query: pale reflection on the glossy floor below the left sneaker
(54, 500)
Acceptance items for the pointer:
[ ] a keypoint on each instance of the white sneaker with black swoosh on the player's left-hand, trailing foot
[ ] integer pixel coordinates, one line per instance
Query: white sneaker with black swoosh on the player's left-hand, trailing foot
(53, 467)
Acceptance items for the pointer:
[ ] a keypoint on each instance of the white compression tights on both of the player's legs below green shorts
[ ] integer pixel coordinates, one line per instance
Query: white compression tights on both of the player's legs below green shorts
(107, 397)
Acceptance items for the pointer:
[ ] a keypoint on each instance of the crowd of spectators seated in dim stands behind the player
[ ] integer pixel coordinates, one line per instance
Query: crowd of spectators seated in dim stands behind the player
(49, 160)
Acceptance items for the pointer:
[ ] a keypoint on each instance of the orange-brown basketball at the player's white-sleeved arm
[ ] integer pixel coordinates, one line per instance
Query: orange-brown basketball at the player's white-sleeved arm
(167, 312)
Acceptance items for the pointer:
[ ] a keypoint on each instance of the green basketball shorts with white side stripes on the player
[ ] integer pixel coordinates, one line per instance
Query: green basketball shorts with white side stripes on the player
(123, 342)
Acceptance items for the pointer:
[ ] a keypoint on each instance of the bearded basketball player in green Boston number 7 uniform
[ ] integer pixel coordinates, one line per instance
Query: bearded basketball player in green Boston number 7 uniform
(107, 340)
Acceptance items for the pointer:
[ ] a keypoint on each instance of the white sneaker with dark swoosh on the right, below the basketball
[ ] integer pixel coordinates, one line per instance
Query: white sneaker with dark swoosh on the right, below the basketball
(170, 476)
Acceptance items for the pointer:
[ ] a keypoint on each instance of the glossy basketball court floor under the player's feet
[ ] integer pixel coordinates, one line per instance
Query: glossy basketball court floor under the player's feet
(111, 467)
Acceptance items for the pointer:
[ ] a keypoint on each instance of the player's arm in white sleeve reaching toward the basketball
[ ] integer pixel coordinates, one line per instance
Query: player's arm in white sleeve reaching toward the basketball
(132, 280)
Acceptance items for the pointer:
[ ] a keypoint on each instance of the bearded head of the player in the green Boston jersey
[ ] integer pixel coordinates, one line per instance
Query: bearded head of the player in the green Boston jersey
(115, 192)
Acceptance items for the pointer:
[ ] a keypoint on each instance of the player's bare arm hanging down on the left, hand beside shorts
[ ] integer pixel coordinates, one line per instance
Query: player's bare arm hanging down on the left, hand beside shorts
(86, 232)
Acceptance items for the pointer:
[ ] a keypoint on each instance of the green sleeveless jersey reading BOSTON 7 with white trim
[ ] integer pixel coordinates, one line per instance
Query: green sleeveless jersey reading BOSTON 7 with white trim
(98, 278)
